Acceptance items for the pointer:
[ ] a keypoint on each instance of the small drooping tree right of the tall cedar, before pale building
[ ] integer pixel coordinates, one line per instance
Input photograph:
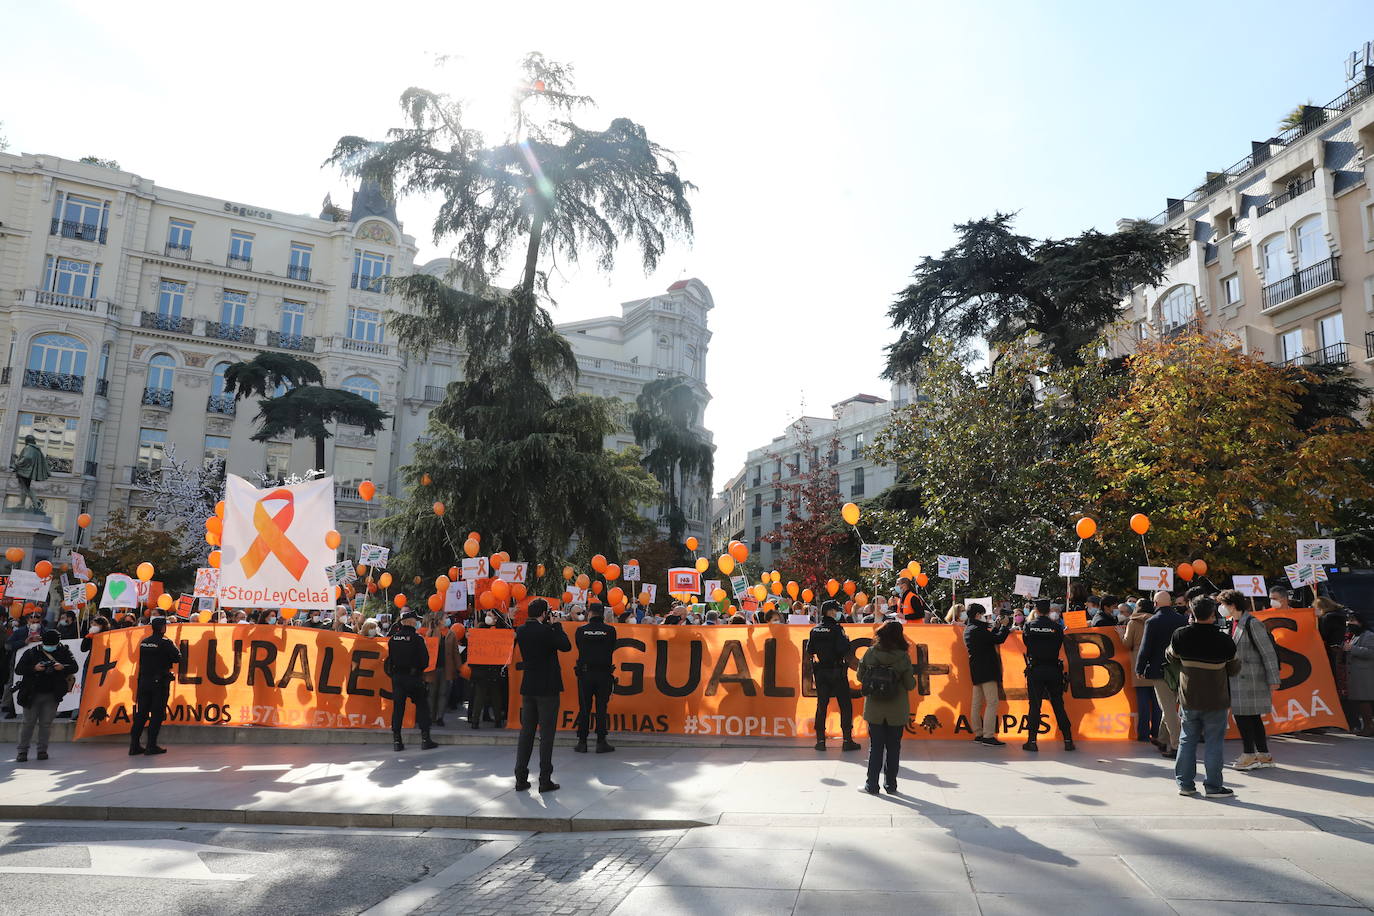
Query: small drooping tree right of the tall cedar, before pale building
(664, 424)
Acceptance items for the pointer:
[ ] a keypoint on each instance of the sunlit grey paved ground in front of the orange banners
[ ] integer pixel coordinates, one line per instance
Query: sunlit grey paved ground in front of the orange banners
(782, 830)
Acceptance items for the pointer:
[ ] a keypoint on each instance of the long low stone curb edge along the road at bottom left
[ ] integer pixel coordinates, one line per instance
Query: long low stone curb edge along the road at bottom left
(336, 819)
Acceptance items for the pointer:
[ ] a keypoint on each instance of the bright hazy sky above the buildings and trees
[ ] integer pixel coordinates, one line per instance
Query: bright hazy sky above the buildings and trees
(835, 145)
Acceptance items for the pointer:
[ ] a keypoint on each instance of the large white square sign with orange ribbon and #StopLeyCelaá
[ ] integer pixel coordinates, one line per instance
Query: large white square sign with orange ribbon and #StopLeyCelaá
(274, 551)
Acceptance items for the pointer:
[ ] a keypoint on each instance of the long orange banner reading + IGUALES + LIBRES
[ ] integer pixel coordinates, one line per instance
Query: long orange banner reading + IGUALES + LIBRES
(754, 682)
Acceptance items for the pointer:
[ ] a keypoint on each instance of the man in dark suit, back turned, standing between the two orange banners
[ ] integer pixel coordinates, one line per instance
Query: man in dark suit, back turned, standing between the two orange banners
(539, 642)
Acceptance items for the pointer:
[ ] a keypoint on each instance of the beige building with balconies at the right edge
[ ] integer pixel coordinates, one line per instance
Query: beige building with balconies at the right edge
(1280, 247)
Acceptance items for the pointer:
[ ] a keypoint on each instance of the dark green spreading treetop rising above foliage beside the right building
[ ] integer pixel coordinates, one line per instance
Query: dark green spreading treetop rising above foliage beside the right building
(998, 286)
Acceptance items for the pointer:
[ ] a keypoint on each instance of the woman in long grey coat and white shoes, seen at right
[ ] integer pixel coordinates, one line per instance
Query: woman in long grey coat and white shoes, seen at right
(1254, 686)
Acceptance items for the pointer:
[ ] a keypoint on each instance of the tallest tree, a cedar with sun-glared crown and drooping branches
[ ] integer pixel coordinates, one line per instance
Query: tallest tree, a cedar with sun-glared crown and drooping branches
(513, 454)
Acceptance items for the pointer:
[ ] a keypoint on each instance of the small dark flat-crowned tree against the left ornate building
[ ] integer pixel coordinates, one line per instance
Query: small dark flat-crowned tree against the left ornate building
(306, 409)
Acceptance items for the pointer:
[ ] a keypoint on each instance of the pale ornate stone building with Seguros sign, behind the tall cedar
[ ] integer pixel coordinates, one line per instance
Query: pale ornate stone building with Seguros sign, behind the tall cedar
(123, 303)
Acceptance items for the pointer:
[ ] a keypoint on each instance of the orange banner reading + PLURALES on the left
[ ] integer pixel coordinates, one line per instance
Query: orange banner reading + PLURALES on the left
(247, 675)
